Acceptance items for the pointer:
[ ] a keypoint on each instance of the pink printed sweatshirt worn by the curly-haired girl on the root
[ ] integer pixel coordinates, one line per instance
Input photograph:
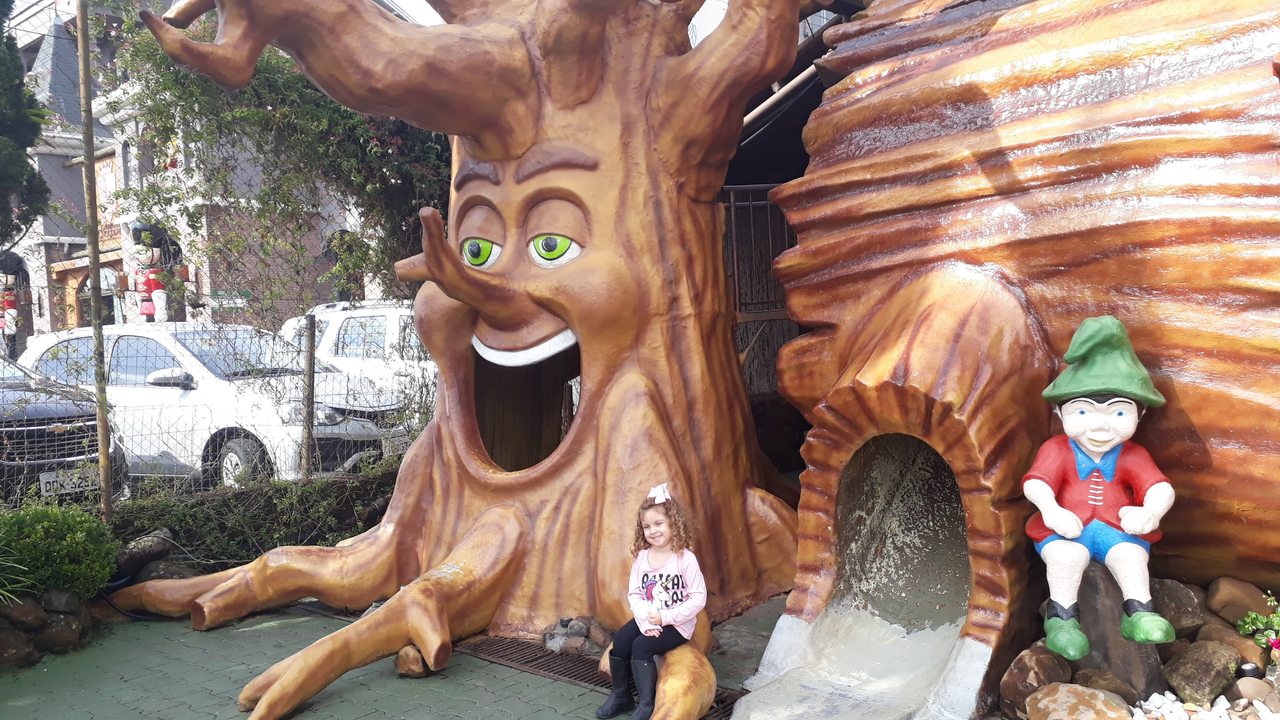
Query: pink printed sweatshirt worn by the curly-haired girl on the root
(676, 590)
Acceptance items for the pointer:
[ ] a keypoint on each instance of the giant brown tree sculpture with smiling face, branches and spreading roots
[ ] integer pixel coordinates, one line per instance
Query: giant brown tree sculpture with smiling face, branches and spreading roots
(591, 147)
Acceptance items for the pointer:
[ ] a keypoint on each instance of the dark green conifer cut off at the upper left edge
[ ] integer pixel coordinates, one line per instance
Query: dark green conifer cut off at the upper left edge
(24, 194)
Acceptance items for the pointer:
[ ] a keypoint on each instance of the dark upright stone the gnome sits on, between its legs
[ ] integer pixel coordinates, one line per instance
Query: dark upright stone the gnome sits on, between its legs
(1101, 613)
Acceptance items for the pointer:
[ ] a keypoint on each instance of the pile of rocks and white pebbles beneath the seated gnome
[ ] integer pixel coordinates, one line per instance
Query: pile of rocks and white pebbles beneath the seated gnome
(1210, 673)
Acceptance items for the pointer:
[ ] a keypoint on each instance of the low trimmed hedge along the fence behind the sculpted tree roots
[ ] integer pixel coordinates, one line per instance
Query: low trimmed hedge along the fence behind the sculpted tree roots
(230, 527)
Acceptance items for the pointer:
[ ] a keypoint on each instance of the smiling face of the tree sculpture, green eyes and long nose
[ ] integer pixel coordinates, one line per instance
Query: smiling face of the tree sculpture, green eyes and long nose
(538, 254)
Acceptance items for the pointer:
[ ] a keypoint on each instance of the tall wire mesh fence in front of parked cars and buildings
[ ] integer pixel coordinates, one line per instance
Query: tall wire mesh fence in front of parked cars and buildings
(227, 222)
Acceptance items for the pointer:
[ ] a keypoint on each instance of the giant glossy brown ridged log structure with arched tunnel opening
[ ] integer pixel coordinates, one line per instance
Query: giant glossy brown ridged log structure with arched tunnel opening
(986, 176)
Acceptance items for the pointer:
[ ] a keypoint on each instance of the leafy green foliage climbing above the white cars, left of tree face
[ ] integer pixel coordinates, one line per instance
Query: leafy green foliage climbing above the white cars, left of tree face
(286, 151)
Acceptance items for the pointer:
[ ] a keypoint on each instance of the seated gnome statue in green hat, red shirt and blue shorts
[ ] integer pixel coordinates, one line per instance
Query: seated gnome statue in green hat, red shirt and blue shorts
(1100, 496)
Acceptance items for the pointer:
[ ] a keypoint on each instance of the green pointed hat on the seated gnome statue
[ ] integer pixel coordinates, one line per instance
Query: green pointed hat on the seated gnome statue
(1101, 362)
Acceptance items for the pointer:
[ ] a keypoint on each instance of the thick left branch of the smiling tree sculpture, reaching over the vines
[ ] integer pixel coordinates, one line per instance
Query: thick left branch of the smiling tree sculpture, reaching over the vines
(449, 79)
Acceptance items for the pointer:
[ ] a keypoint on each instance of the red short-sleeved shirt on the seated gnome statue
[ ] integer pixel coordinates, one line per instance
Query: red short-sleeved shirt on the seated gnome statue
(1092, 498)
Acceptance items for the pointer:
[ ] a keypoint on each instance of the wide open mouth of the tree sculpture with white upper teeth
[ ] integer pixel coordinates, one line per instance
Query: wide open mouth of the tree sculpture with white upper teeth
(525, 400)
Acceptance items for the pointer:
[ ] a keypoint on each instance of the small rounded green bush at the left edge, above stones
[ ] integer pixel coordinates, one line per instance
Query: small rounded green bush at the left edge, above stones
(61, 549)
